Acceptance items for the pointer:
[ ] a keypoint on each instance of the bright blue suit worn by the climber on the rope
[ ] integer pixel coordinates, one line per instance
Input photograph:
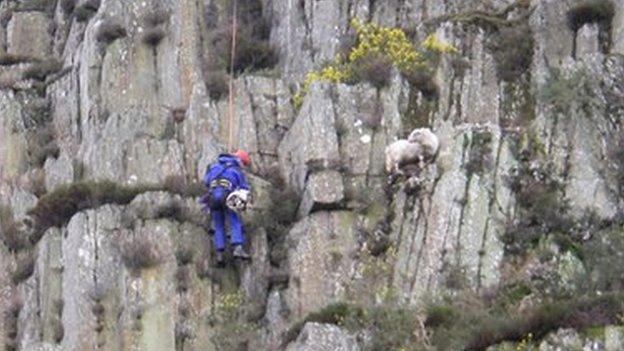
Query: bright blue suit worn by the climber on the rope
(221, 179)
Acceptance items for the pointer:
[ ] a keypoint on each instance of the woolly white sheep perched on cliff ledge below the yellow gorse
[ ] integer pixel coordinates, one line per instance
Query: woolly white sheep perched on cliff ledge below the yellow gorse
(422, 145)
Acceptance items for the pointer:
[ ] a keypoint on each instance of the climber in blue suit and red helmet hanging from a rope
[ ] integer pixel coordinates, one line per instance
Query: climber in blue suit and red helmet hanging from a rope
(223, 179)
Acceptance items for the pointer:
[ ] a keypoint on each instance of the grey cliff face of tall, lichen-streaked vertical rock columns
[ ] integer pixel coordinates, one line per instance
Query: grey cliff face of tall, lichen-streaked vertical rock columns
(528, 112)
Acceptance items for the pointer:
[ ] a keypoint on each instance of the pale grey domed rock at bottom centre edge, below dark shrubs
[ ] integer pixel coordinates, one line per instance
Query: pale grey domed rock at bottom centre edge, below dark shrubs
(323, 337)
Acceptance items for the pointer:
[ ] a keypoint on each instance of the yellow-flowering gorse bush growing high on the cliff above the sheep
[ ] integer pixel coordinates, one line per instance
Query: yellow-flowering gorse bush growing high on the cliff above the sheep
(372, 39)
